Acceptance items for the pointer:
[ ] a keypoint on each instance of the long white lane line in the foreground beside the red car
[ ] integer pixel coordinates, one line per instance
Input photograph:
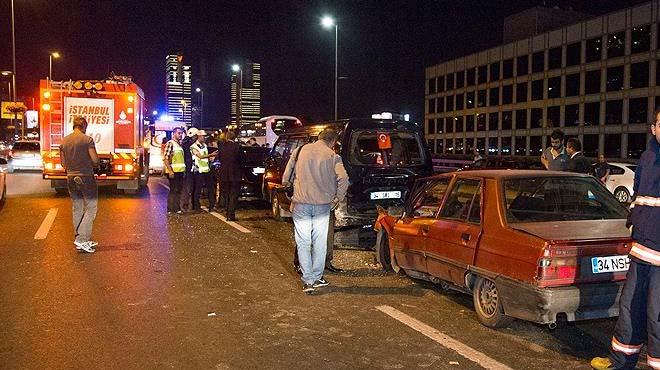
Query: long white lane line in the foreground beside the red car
(443, 339)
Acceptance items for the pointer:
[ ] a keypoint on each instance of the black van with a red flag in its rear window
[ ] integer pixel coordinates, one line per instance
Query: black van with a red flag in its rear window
(383, 158)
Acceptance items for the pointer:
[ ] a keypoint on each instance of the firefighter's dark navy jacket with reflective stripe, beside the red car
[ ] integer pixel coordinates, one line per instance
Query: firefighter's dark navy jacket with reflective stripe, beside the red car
(647, 183)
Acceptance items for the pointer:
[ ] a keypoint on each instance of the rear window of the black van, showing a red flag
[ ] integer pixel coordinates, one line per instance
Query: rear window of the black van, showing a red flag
(397, 148)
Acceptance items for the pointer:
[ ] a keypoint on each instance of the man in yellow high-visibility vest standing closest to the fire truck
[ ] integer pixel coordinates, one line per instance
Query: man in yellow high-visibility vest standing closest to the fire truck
(175, 168)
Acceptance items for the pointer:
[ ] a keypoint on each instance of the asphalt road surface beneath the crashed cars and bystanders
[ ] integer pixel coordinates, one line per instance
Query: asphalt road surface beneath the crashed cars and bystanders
(194, 292)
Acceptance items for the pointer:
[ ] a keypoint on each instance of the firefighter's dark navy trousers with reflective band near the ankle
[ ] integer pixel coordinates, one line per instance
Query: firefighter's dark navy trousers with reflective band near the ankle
(639, 317)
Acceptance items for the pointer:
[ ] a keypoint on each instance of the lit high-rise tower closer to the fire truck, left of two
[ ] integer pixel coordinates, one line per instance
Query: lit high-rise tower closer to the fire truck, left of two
(178, 89)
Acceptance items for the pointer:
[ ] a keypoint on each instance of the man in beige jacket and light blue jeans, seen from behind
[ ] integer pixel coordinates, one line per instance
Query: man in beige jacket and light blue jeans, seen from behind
(319, 184)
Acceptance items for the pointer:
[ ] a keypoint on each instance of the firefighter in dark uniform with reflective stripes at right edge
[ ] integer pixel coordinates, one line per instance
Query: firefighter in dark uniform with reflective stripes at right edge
(639, 312)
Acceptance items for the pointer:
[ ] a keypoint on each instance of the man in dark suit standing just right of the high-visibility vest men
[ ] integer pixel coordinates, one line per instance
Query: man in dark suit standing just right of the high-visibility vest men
(229, 154)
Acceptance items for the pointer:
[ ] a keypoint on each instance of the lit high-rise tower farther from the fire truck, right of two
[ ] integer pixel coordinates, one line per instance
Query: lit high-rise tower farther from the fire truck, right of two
(246, 95)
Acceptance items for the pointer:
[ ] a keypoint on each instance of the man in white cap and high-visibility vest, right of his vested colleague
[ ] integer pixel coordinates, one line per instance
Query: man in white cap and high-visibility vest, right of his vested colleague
(202, 172)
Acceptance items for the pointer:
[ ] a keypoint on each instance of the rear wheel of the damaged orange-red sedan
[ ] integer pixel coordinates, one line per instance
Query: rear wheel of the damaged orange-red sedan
(488, 304)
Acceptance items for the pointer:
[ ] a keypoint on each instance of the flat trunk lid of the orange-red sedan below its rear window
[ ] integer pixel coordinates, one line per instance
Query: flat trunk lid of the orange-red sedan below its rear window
(576, 230)
